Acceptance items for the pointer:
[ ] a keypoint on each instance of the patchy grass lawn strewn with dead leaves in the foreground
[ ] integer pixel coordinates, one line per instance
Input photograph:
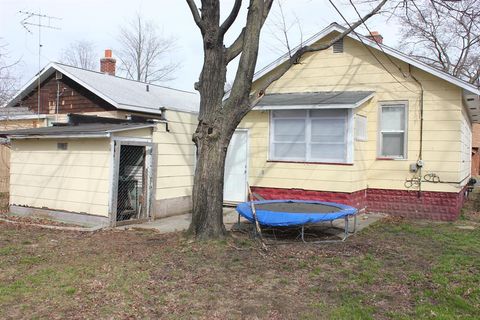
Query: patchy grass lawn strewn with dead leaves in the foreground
(392, 270)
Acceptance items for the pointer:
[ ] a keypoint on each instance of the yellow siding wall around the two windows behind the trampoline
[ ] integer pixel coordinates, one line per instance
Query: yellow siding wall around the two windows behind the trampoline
(356, 69)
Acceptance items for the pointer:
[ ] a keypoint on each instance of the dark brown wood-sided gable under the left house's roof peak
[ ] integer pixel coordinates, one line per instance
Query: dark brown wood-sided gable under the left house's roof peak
(74, 98)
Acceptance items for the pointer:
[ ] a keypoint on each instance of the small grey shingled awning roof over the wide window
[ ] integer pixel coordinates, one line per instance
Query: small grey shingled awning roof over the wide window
(312, 100)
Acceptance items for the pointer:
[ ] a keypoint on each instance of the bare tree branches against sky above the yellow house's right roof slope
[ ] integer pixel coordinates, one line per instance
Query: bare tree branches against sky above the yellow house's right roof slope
(443, 34)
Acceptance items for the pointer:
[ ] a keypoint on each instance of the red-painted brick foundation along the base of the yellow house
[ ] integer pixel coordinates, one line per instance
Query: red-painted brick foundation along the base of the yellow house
(444, 206)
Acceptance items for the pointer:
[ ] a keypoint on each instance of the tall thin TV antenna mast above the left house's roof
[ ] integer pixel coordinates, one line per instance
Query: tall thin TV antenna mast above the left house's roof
(41, 21)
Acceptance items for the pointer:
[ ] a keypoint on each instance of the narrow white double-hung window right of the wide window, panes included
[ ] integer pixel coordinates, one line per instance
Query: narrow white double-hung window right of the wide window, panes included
(393, 130)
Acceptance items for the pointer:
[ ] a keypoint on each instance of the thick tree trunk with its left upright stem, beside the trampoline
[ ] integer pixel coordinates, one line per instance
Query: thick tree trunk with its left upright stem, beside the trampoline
(209, 138)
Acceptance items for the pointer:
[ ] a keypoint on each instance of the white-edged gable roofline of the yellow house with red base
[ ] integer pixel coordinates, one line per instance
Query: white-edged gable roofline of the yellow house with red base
(335, 27)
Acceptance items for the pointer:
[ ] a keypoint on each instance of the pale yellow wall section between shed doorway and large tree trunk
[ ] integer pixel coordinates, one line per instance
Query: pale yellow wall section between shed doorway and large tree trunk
(176, 155)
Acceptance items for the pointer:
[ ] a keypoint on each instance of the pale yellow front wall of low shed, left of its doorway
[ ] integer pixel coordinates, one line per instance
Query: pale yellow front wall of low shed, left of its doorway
(74, 180)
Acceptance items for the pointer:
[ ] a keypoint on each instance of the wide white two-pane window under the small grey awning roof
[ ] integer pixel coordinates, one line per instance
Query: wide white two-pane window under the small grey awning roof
(310, 135)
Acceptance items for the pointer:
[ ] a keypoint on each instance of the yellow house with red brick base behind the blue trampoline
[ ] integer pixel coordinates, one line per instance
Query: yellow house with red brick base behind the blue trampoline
(350, 124)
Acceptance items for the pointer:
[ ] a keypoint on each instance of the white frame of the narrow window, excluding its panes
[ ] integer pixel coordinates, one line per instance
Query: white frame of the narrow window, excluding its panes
(404, 131)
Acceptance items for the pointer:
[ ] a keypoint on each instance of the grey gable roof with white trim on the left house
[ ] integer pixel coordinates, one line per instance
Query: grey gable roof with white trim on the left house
(123, 94)
